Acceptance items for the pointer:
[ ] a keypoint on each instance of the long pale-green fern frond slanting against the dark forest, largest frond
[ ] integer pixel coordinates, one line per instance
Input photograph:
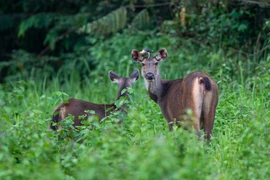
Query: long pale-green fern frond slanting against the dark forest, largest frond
(110, 23)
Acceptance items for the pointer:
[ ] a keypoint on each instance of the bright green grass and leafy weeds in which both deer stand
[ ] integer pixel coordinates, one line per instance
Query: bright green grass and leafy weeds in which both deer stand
(141, 147)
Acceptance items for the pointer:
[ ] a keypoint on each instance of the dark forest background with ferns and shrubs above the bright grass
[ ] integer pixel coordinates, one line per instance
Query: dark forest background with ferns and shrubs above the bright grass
(48, 36)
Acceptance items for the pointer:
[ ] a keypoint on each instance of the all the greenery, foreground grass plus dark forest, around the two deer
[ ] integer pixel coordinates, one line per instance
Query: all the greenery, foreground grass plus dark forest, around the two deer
(53, 50)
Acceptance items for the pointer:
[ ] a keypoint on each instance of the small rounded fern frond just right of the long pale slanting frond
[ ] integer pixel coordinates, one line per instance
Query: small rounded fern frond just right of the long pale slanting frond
(141, 19)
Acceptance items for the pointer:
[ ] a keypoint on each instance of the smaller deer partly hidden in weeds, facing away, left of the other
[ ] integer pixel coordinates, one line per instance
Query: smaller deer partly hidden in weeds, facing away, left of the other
(78, 107)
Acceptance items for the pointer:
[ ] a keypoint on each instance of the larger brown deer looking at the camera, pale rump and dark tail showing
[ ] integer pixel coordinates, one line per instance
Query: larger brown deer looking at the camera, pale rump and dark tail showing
(197, 92)
